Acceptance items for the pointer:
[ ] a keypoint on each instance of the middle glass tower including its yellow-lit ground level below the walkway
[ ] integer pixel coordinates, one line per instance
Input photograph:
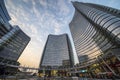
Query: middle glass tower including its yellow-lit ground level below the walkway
(57, 54)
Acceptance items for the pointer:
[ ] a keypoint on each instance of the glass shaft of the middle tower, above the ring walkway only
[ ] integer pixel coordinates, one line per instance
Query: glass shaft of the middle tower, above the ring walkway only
(57, 51)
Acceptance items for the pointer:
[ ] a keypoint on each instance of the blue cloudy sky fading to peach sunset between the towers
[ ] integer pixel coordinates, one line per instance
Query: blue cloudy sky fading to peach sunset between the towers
(39, 18)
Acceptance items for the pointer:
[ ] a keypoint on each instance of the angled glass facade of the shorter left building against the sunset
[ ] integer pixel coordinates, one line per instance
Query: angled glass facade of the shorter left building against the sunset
(13, 43)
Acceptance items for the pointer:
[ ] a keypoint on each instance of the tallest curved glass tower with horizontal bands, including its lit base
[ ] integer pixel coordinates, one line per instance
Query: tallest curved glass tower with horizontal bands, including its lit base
(95, 31)
